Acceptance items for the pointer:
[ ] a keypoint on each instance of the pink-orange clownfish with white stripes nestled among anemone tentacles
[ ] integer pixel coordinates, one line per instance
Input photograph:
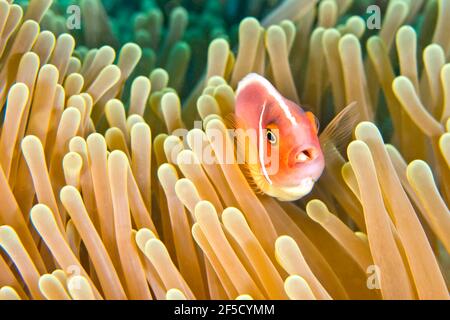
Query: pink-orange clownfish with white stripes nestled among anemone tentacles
(285, 158)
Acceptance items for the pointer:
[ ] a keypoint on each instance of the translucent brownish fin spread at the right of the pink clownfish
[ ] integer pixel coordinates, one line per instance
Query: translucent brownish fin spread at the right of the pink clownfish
(338, 132)
